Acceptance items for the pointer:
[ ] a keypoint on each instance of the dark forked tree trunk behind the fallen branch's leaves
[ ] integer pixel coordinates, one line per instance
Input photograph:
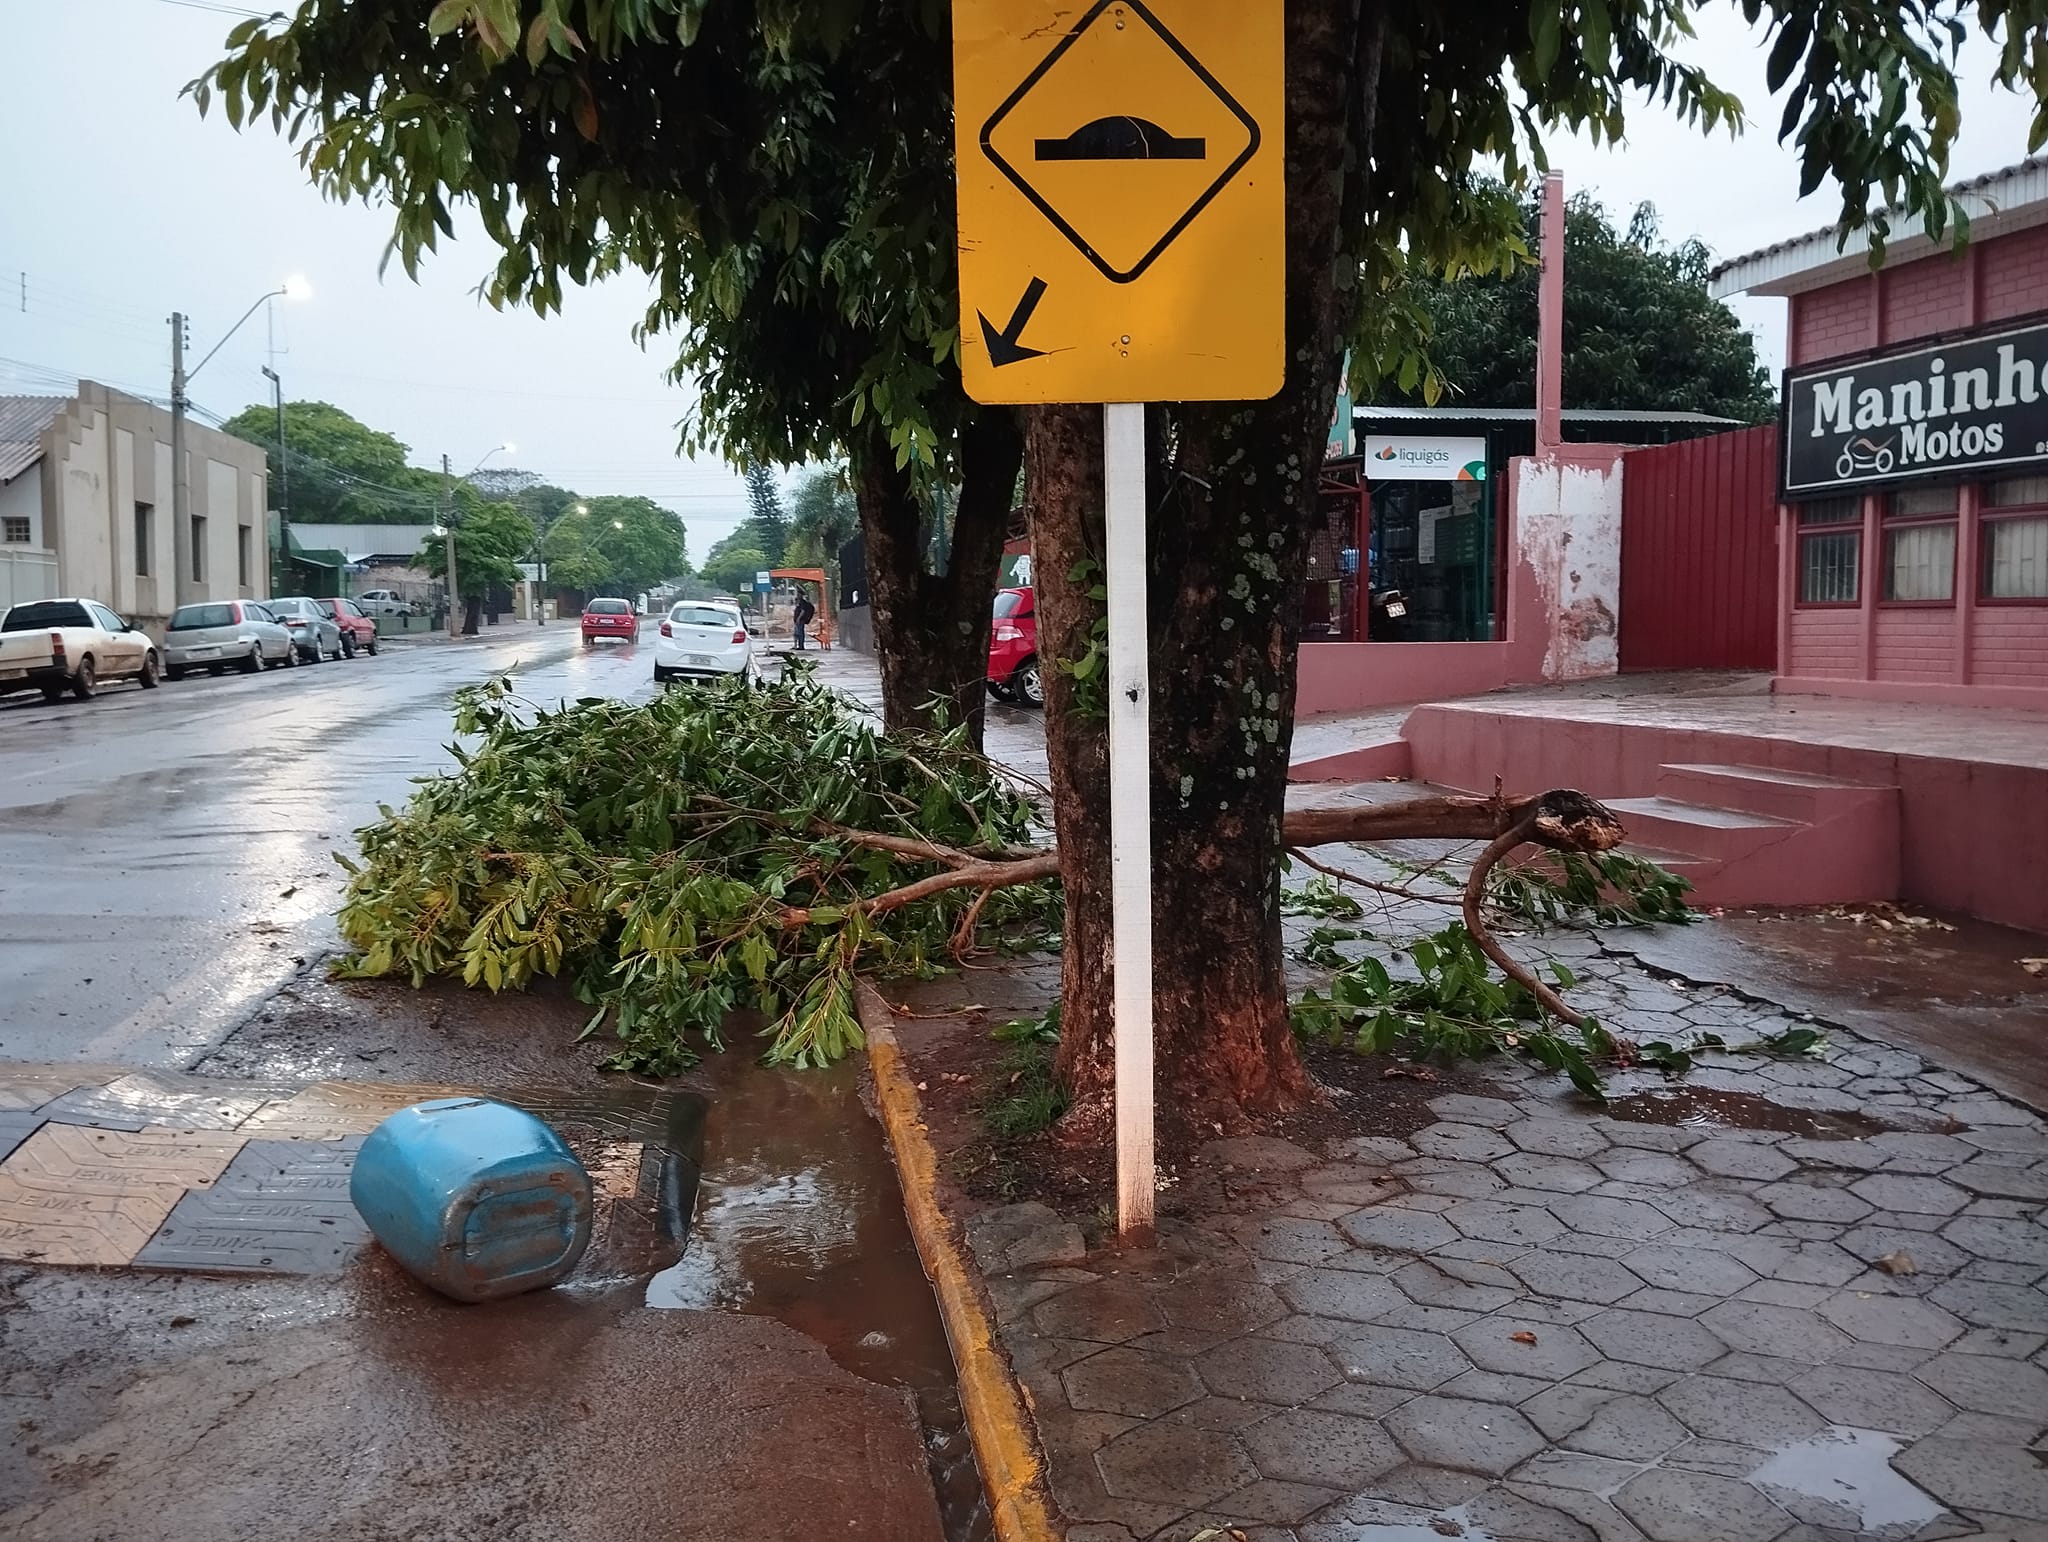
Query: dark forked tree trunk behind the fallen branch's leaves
(933, 632)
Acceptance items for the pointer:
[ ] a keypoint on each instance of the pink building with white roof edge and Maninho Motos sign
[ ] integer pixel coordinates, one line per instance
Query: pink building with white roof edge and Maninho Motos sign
(1914, 456)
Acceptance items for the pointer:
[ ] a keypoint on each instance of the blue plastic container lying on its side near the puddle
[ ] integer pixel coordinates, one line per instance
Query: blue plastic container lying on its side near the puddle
(476, 1199)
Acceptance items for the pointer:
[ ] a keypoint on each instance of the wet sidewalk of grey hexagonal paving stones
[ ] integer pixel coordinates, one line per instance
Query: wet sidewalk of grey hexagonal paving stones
(1545, 1324)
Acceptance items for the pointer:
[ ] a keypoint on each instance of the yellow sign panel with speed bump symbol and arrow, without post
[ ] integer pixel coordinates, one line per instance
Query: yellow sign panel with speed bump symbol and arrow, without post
(1121, 200)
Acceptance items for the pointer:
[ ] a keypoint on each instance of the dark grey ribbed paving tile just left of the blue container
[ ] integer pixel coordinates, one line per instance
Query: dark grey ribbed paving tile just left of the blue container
(280, 1209)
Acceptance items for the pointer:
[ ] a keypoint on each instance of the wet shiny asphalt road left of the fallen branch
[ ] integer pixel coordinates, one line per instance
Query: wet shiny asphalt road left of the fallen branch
(167, 857)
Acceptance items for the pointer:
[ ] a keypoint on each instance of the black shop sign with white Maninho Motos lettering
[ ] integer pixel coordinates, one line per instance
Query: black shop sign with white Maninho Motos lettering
(1938, 411)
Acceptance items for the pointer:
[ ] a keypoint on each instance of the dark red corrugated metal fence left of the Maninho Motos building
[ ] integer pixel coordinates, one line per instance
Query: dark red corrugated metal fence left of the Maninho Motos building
(1701, 554)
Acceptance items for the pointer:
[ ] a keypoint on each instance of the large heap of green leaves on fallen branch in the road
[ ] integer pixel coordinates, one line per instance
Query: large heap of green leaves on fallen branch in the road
(716, 851)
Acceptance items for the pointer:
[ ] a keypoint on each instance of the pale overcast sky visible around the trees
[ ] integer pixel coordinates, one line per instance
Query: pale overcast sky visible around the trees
(122, 206)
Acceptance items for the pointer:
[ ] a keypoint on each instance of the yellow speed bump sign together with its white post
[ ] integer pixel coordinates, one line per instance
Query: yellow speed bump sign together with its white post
(1123, 241)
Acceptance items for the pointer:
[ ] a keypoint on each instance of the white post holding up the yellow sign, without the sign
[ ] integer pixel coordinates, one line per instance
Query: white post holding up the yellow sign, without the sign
(1123, 480)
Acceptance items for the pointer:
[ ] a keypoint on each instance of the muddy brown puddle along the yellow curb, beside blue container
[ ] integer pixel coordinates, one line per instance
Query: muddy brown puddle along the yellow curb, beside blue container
(800, 1219)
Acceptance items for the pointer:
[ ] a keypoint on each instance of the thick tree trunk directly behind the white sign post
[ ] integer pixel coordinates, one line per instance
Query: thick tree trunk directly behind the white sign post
(1230, 531)
